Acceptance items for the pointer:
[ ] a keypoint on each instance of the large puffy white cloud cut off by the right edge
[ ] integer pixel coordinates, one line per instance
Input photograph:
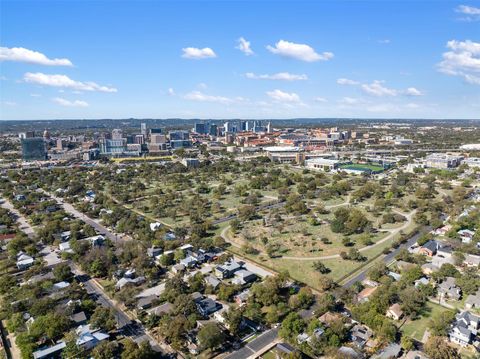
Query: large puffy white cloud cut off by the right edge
(462, 60)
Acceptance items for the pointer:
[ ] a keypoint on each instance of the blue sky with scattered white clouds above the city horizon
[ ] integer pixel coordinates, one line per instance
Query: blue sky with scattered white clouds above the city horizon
(120, 59)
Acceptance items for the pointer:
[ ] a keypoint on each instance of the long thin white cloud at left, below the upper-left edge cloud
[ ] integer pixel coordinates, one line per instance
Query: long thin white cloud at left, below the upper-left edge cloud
(65, 82)
